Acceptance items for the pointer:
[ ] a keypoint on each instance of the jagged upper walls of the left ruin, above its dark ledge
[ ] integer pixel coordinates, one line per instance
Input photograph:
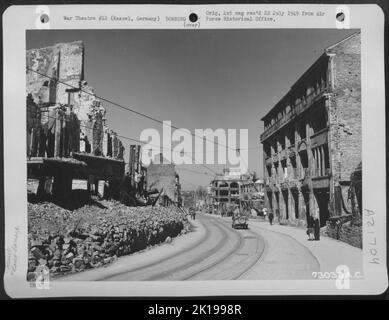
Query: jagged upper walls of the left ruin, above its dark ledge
(63, 113)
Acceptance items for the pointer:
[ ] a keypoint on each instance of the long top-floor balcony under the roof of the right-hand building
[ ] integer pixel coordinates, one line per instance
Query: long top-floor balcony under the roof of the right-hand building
(298, 109)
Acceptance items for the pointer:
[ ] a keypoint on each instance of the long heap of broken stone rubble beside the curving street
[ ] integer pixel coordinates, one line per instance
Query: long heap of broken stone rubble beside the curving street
(92, 236)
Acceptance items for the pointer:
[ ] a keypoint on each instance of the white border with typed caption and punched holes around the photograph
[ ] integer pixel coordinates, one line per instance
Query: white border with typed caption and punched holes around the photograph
(368, 18)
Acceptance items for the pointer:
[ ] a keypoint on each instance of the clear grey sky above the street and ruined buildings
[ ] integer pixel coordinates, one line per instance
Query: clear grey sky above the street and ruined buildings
(197, 79)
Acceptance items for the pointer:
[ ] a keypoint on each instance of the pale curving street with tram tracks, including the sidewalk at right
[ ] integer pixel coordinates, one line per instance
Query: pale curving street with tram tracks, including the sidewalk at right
(215, 251)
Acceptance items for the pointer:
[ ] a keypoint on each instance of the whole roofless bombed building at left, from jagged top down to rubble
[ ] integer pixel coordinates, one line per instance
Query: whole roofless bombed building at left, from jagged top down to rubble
(67, 134)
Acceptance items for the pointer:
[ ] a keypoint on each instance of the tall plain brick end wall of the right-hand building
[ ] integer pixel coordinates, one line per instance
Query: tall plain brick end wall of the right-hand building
(346, 108)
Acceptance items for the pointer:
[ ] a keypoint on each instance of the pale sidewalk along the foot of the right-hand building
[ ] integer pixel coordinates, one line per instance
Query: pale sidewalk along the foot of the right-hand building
(329, 252)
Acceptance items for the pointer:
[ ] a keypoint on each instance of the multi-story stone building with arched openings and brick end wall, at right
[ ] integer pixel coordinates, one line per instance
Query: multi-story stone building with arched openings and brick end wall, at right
(312, 138)
